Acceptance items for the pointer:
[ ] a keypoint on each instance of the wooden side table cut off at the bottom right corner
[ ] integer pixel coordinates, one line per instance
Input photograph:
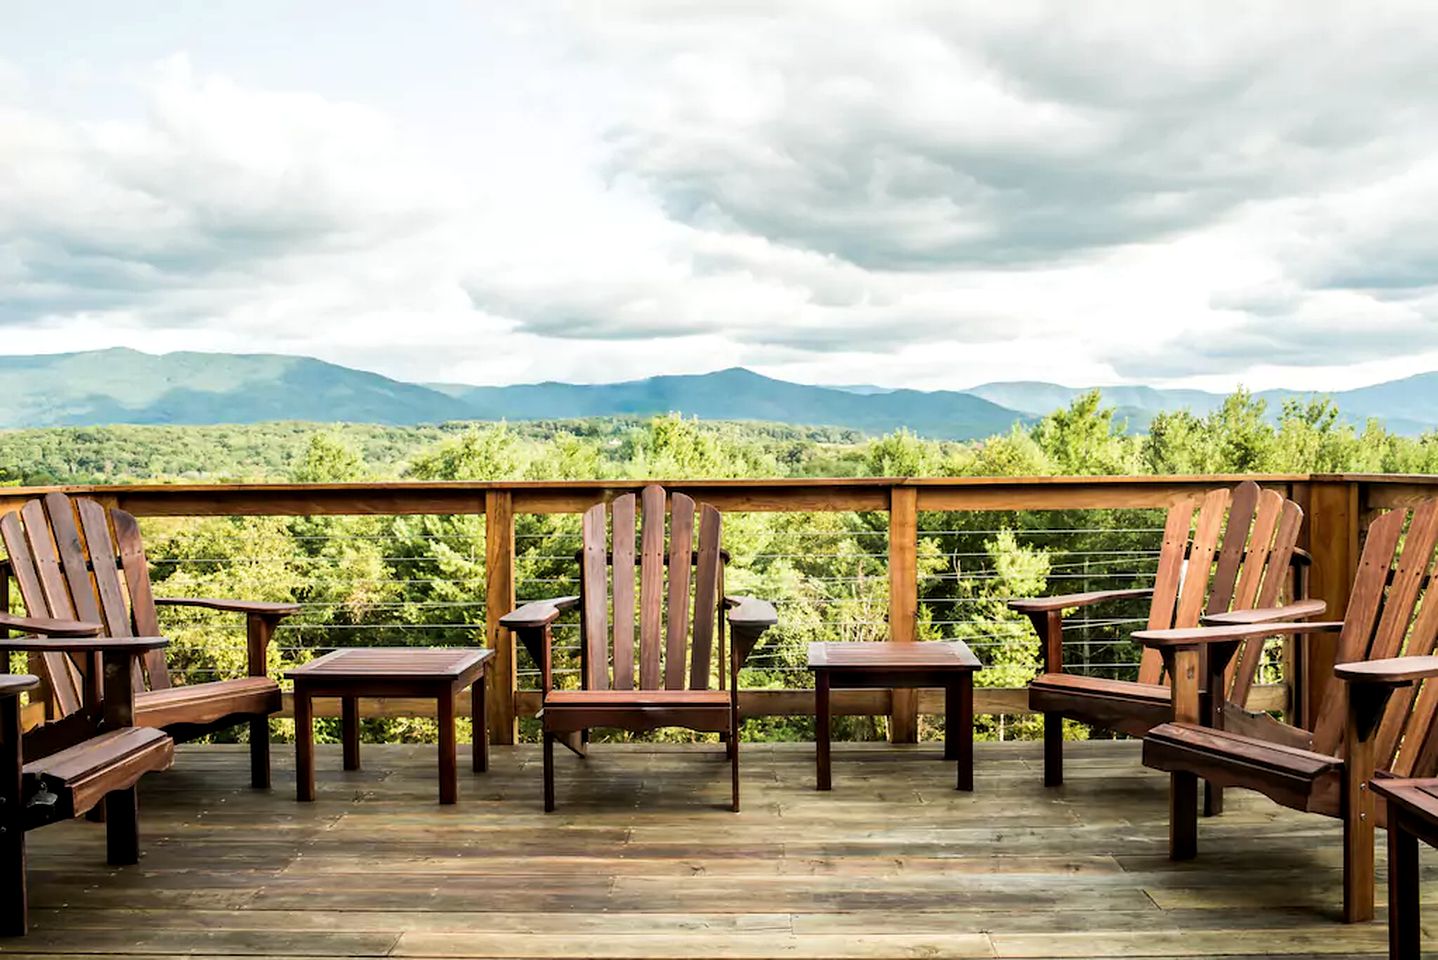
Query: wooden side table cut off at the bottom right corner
(1413, 816)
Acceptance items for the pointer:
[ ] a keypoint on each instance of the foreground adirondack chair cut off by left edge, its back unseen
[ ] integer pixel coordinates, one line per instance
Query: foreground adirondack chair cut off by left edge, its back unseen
(90, 760)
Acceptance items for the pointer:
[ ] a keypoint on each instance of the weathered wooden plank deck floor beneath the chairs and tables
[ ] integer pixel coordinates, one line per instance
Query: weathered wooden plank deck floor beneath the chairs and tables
(644, 860)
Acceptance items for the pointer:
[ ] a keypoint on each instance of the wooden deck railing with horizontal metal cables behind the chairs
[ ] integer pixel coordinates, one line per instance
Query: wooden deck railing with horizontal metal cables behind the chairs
(438, 564)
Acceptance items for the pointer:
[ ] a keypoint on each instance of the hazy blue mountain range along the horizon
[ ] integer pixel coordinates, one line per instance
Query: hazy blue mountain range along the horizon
(130, 387)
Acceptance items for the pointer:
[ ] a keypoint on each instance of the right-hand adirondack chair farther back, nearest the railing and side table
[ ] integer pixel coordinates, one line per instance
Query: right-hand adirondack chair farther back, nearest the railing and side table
(1240, 578)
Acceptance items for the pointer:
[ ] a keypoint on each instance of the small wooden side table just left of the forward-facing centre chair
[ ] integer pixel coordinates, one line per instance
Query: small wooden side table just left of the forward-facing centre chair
(390, 672)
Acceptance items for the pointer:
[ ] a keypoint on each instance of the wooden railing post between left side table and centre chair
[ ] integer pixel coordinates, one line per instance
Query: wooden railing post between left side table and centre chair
(500, 600)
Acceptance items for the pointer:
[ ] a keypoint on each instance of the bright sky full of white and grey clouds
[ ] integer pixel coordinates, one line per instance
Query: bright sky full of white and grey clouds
(907, 195)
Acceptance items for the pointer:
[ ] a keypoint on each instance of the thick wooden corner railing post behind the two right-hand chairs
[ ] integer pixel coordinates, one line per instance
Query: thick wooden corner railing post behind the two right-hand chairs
(1334, 524)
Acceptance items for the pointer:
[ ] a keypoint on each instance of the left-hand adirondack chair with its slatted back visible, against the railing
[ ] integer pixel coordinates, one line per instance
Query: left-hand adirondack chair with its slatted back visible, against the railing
(63, 557)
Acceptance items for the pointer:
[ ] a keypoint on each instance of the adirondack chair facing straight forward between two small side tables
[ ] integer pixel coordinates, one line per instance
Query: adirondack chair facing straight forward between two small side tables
(664, 696)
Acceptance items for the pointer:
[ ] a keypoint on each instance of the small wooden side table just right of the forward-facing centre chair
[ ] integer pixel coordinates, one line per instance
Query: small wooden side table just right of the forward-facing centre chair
(947, 665)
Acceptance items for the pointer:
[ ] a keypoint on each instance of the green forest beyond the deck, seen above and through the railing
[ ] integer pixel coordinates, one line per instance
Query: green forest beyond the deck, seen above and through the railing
(421, 580)
